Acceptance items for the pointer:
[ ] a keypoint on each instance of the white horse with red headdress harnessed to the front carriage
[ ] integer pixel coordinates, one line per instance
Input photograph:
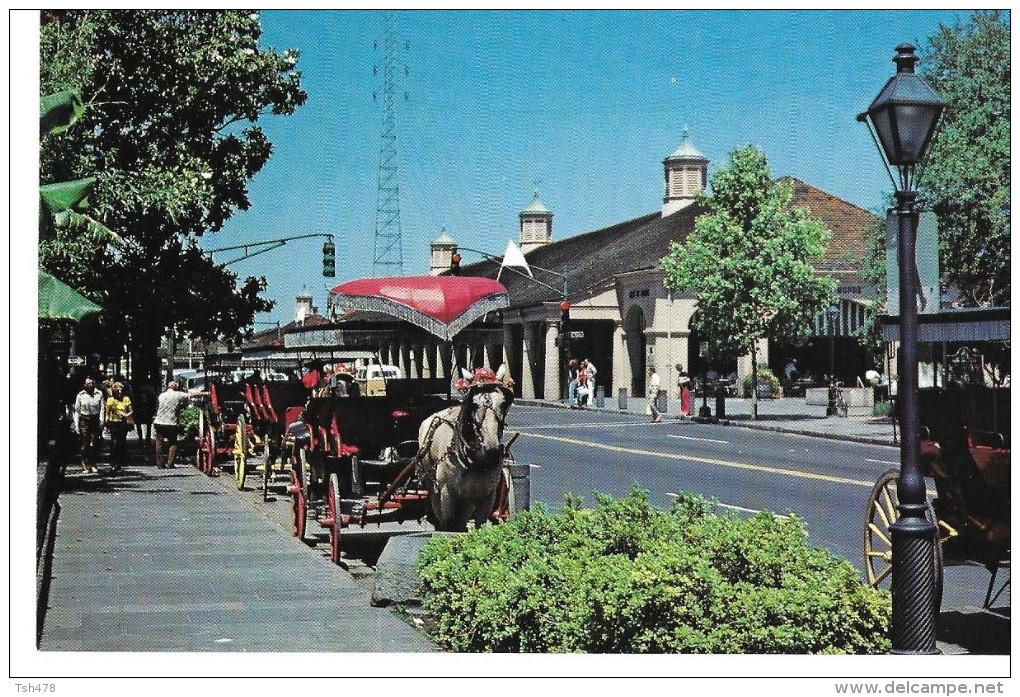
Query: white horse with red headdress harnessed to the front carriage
(462, 457)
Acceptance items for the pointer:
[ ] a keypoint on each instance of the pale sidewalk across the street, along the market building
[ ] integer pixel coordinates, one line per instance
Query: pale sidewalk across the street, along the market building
(784, 415)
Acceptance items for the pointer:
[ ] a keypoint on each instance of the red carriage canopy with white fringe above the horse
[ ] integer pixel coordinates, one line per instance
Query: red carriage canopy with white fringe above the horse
(443, 306)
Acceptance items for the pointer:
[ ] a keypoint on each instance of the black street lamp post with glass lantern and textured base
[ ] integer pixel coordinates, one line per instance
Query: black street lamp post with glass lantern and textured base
(903, 120)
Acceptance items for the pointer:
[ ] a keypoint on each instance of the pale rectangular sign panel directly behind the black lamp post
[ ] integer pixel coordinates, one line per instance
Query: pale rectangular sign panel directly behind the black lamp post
(930, 289)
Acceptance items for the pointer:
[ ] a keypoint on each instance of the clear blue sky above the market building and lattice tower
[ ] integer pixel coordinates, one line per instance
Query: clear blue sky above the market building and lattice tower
(587, 104)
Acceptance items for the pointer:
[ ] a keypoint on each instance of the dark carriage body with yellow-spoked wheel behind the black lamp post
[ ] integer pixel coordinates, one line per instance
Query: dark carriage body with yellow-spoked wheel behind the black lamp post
(965, 453)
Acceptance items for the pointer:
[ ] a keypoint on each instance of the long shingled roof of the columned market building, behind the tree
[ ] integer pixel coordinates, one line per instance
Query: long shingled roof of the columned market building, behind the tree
(592, 261)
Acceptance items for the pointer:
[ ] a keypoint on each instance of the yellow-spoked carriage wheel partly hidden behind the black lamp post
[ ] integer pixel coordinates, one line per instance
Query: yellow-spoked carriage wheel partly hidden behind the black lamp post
(883, 513)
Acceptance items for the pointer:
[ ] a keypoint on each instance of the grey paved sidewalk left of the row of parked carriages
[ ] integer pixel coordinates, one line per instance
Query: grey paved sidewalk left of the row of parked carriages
(151, 560)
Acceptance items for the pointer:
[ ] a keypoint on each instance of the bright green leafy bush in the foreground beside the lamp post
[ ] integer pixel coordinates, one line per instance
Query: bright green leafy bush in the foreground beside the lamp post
(627, 578)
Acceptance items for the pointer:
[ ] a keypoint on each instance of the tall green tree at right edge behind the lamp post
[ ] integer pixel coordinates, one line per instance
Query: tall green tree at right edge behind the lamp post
(966, 180)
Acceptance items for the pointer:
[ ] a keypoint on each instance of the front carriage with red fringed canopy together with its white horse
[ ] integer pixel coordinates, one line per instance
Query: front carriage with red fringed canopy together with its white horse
(428, 452)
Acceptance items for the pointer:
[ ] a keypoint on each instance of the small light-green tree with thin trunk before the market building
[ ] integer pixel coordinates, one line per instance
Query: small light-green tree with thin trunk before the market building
(749, 262)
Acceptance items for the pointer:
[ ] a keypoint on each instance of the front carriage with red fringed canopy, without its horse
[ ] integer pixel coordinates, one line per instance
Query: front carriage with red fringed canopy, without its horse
(359, 461)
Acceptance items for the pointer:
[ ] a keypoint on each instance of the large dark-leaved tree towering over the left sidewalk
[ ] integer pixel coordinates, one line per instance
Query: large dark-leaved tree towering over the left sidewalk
(172, 103)
